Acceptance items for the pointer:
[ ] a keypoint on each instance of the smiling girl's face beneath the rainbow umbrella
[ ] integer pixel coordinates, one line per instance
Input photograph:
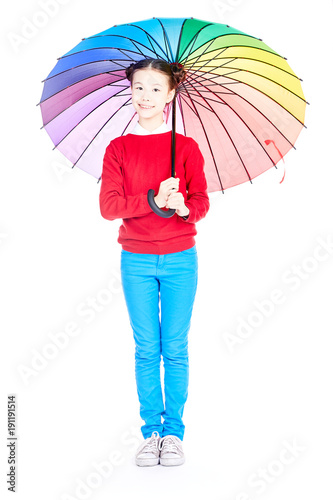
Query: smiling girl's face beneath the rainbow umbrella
(150, 94)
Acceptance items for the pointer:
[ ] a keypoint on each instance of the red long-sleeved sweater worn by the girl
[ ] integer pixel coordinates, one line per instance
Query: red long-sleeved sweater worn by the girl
(132, 165)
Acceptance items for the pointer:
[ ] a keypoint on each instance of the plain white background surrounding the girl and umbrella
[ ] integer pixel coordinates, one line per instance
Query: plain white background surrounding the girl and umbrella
(56, 253)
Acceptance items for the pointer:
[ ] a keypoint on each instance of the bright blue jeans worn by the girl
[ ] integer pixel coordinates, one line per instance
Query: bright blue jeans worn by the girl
(169, 280)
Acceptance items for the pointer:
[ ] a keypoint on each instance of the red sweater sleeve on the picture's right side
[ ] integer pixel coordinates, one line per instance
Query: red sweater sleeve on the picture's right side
(196, 185)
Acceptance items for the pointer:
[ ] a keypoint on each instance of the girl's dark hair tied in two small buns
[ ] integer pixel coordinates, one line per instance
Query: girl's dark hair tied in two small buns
(175, 71)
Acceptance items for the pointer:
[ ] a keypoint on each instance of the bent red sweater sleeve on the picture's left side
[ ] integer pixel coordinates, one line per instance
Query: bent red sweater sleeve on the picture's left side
(112, 201)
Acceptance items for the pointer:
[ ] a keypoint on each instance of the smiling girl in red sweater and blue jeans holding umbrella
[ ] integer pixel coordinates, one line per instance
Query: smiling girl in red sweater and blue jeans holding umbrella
(159, 263)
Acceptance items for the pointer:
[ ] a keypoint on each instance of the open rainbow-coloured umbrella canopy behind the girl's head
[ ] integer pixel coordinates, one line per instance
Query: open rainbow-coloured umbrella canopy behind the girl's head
(240, 101)
